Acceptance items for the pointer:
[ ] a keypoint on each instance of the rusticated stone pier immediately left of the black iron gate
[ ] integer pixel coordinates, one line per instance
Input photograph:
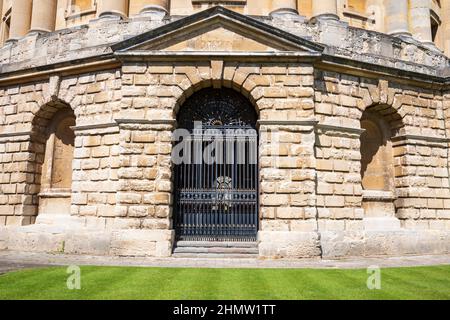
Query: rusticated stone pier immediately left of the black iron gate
(145, 186)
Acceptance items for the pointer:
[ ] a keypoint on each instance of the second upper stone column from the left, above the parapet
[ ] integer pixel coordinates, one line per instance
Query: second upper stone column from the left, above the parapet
(43, 17)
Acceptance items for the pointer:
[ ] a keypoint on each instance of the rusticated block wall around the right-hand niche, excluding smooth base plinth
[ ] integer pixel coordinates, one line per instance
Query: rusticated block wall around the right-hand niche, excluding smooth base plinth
(420, 156)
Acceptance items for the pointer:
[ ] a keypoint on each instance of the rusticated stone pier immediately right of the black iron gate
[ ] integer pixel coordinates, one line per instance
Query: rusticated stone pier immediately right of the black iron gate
(288, 226)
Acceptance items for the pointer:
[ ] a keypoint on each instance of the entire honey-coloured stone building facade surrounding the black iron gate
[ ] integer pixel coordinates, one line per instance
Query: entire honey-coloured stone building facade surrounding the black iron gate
(351, 102)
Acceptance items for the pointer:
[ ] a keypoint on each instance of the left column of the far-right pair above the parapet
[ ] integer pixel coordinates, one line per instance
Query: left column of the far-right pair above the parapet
(397, 17)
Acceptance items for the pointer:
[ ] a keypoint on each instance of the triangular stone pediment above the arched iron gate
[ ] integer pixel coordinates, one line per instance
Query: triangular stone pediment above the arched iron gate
(217, 30)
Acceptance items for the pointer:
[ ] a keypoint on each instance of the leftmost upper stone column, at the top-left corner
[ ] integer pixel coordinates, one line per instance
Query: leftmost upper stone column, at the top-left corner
(20, 19)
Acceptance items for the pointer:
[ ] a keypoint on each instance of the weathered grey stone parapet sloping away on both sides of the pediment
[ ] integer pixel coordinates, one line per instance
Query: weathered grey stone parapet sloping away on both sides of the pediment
(94, 40)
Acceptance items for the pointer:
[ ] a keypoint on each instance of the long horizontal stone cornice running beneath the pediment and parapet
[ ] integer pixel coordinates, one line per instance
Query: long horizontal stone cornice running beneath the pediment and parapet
(323, 62)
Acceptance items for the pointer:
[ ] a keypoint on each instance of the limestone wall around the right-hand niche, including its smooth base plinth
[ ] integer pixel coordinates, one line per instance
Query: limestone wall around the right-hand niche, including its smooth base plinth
(420, 164)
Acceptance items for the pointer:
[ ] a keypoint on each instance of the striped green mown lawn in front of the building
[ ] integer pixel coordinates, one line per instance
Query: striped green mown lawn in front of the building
(228, 284)
